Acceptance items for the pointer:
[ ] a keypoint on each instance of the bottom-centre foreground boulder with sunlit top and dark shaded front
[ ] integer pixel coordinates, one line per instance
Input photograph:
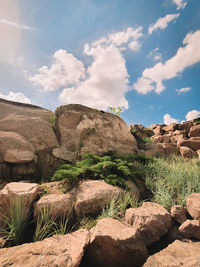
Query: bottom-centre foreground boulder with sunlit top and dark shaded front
(113, 243)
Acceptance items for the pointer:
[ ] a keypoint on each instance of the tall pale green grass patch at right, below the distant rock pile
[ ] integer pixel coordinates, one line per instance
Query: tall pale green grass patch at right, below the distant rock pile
(172, 179)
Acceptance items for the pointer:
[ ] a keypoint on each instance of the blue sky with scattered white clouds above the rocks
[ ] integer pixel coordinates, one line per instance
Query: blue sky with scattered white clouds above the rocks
(143, 56)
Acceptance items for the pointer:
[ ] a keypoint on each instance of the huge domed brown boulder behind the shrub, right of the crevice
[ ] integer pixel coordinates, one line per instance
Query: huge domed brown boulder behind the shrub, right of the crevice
(84, 129)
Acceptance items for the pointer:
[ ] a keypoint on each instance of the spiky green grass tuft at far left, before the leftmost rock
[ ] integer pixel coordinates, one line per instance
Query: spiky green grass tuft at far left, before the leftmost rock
(16, 221)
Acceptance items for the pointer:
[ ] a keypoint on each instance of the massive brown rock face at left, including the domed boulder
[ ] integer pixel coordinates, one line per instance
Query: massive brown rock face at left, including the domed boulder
(34, 140)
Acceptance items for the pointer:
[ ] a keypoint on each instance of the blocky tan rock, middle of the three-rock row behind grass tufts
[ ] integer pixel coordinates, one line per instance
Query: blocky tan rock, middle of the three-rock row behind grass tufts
(57, 205)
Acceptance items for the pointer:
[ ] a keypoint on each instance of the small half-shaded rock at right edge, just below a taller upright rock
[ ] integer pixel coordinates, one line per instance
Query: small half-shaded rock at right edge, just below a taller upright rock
(191, 229)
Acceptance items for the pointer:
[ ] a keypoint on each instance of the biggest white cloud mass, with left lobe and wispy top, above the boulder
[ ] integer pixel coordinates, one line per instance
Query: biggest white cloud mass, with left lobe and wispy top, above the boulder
(104, 83)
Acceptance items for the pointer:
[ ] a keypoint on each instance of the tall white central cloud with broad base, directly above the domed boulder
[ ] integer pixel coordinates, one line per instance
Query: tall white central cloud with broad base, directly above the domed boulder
(107, 82)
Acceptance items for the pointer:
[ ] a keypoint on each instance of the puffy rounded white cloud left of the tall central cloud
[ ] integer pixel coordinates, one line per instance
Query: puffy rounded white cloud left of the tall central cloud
(65, 70)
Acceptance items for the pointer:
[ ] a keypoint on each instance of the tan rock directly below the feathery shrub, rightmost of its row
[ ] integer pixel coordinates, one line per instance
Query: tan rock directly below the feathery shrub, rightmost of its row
(93, 195)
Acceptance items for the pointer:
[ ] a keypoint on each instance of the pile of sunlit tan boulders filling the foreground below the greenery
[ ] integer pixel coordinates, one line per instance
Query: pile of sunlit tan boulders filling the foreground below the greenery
(128, 241)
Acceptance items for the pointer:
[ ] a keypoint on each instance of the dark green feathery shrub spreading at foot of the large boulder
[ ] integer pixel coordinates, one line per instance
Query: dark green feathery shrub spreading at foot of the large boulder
(113, 169)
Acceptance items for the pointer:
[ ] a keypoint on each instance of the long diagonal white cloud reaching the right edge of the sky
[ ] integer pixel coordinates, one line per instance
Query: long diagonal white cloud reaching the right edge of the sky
(186, 56)
